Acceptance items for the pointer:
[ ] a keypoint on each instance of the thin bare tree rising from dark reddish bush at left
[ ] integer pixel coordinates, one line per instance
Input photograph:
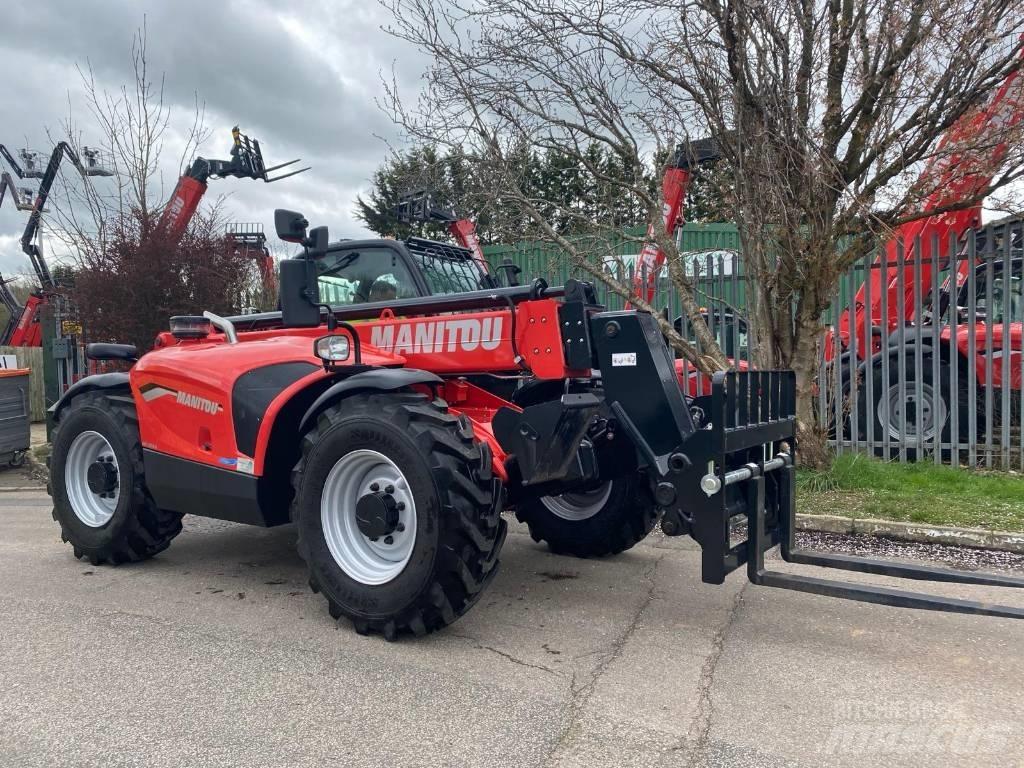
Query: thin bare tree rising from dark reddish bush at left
(130, 275)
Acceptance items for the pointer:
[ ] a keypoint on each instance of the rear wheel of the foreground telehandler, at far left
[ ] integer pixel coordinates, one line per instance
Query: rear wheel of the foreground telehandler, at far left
(99, 487)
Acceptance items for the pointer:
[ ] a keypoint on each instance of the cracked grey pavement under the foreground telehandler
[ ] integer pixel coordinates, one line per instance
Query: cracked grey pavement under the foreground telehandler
(216, 654)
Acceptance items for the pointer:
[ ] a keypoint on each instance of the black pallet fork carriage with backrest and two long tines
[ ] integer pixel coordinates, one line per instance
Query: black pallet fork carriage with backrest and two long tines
(750, 407)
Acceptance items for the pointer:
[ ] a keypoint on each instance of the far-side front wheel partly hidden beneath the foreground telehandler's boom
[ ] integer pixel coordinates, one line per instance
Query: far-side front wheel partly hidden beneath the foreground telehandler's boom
(606, 522)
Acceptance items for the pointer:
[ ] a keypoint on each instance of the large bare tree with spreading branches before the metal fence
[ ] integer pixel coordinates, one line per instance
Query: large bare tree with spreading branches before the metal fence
(828, 113)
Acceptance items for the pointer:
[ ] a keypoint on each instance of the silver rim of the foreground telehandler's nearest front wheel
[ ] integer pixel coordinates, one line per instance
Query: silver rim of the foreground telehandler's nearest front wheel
(368, 562)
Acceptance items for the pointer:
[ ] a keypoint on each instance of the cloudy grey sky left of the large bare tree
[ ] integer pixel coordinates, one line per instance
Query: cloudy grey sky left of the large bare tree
(303, 77)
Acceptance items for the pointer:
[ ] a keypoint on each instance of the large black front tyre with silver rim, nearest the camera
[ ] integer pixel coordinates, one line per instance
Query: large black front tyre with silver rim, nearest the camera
(399, 518)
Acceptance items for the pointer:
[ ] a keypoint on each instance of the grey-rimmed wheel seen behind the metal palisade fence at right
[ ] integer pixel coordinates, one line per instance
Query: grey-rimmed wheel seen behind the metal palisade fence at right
(904, 419)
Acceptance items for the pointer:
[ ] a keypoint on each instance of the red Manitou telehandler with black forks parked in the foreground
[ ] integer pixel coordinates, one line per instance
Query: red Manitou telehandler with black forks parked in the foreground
(380, 431)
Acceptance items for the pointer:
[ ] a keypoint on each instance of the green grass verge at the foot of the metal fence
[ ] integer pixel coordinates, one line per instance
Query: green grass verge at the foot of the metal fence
(862, 487)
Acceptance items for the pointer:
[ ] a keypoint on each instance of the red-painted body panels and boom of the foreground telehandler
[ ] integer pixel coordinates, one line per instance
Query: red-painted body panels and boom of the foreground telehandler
(447, 346)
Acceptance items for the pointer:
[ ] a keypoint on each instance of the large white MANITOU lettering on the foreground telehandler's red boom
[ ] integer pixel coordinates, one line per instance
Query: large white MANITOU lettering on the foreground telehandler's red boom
(432, 337)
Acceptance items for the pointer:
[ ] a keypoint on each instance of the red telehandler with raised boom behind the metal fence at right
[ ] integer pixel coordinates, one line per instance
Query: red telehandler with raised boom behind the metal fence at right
(911, 390)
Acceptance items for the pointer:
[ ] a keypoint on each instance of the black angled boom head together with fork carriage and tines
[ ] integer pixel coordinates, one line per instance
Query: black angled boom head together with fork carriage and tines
(737, 467)
